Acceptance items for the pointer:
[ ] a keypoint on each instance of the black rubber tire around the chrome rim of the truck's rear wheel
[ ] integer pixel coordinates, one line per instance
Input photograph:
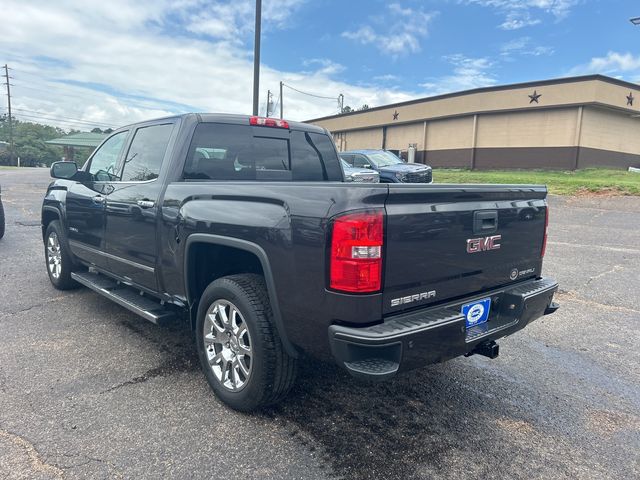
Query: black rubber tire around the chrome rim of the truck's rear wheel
(272, 371)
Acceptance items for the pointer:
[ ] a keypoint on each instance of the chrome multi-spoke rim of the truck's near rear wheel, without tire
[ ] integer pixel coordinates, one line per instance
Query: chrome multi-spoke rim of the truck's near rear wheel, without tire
(227, 345)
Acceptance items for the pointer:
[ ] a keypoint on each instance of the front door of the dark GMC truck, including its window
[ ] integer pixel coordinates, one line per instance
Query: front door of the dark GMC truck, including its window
(86, 200)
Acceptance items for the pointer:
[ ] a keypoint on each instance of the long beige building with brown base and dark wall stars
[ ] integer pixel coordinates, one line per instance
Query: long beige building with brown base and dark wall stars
(567, 124)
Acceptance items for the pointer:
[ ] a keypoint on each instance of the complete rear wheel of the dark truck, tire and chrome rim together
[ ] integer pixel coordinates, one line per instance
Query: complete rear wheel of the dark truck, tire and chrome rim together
(239, 348)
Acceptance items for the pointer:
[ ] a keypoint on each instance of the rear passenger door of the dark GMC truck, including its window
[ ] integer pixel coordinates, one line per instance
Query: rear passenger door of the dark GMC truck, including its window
(132, 206)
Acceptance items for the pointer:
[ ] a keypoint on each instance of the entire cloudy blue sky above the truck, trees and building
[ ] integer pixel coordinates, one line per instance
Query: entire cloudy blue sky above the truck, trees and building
(111, 63)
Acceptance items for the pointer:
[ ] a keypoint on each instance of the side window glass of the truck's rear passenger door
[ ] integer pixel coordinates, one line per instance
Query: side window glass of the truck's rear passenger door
(146, 153)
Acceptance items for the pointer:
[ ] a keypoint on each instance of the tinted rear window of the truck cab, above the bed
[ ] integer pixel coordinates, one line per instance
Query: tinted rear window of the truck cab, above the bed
(239, 152)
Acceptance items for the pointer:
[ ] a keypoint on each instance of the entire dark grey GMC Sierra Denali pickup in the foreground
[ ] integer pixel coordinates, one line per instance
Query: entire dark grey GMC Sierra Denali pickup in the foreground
(244, 227)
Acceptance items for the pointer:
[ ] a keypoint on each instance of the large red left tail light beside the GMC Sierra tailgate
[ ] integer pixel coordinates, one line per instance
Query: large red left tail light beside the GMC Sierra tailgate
(356, 252)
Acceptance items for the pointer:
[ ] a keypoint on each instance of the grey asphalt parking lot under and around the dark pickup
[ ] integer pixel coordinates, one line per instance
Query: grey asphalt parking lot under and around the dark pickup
(89, 390)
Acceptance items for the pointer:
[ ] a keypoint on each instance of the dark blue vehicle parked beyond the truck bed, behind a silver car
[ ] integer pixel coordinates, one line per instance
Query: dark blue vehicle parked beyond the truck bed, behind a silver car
(391, 168)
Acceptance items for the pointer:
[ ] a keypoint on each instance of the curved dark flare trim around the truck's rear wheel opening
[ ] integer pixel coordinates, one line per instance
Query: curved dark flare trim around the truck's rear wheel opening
(266, 268)
